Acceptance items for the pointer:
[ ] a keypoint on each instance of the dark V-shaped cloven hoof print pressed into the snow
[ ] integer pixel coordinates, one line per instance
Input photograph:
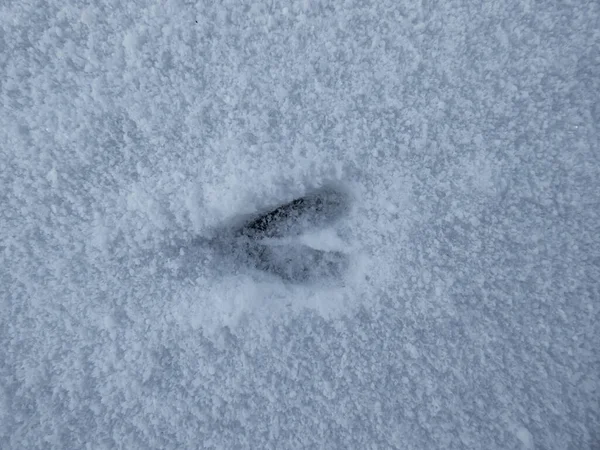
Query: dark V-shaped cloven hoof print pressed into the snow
(262, 241)
